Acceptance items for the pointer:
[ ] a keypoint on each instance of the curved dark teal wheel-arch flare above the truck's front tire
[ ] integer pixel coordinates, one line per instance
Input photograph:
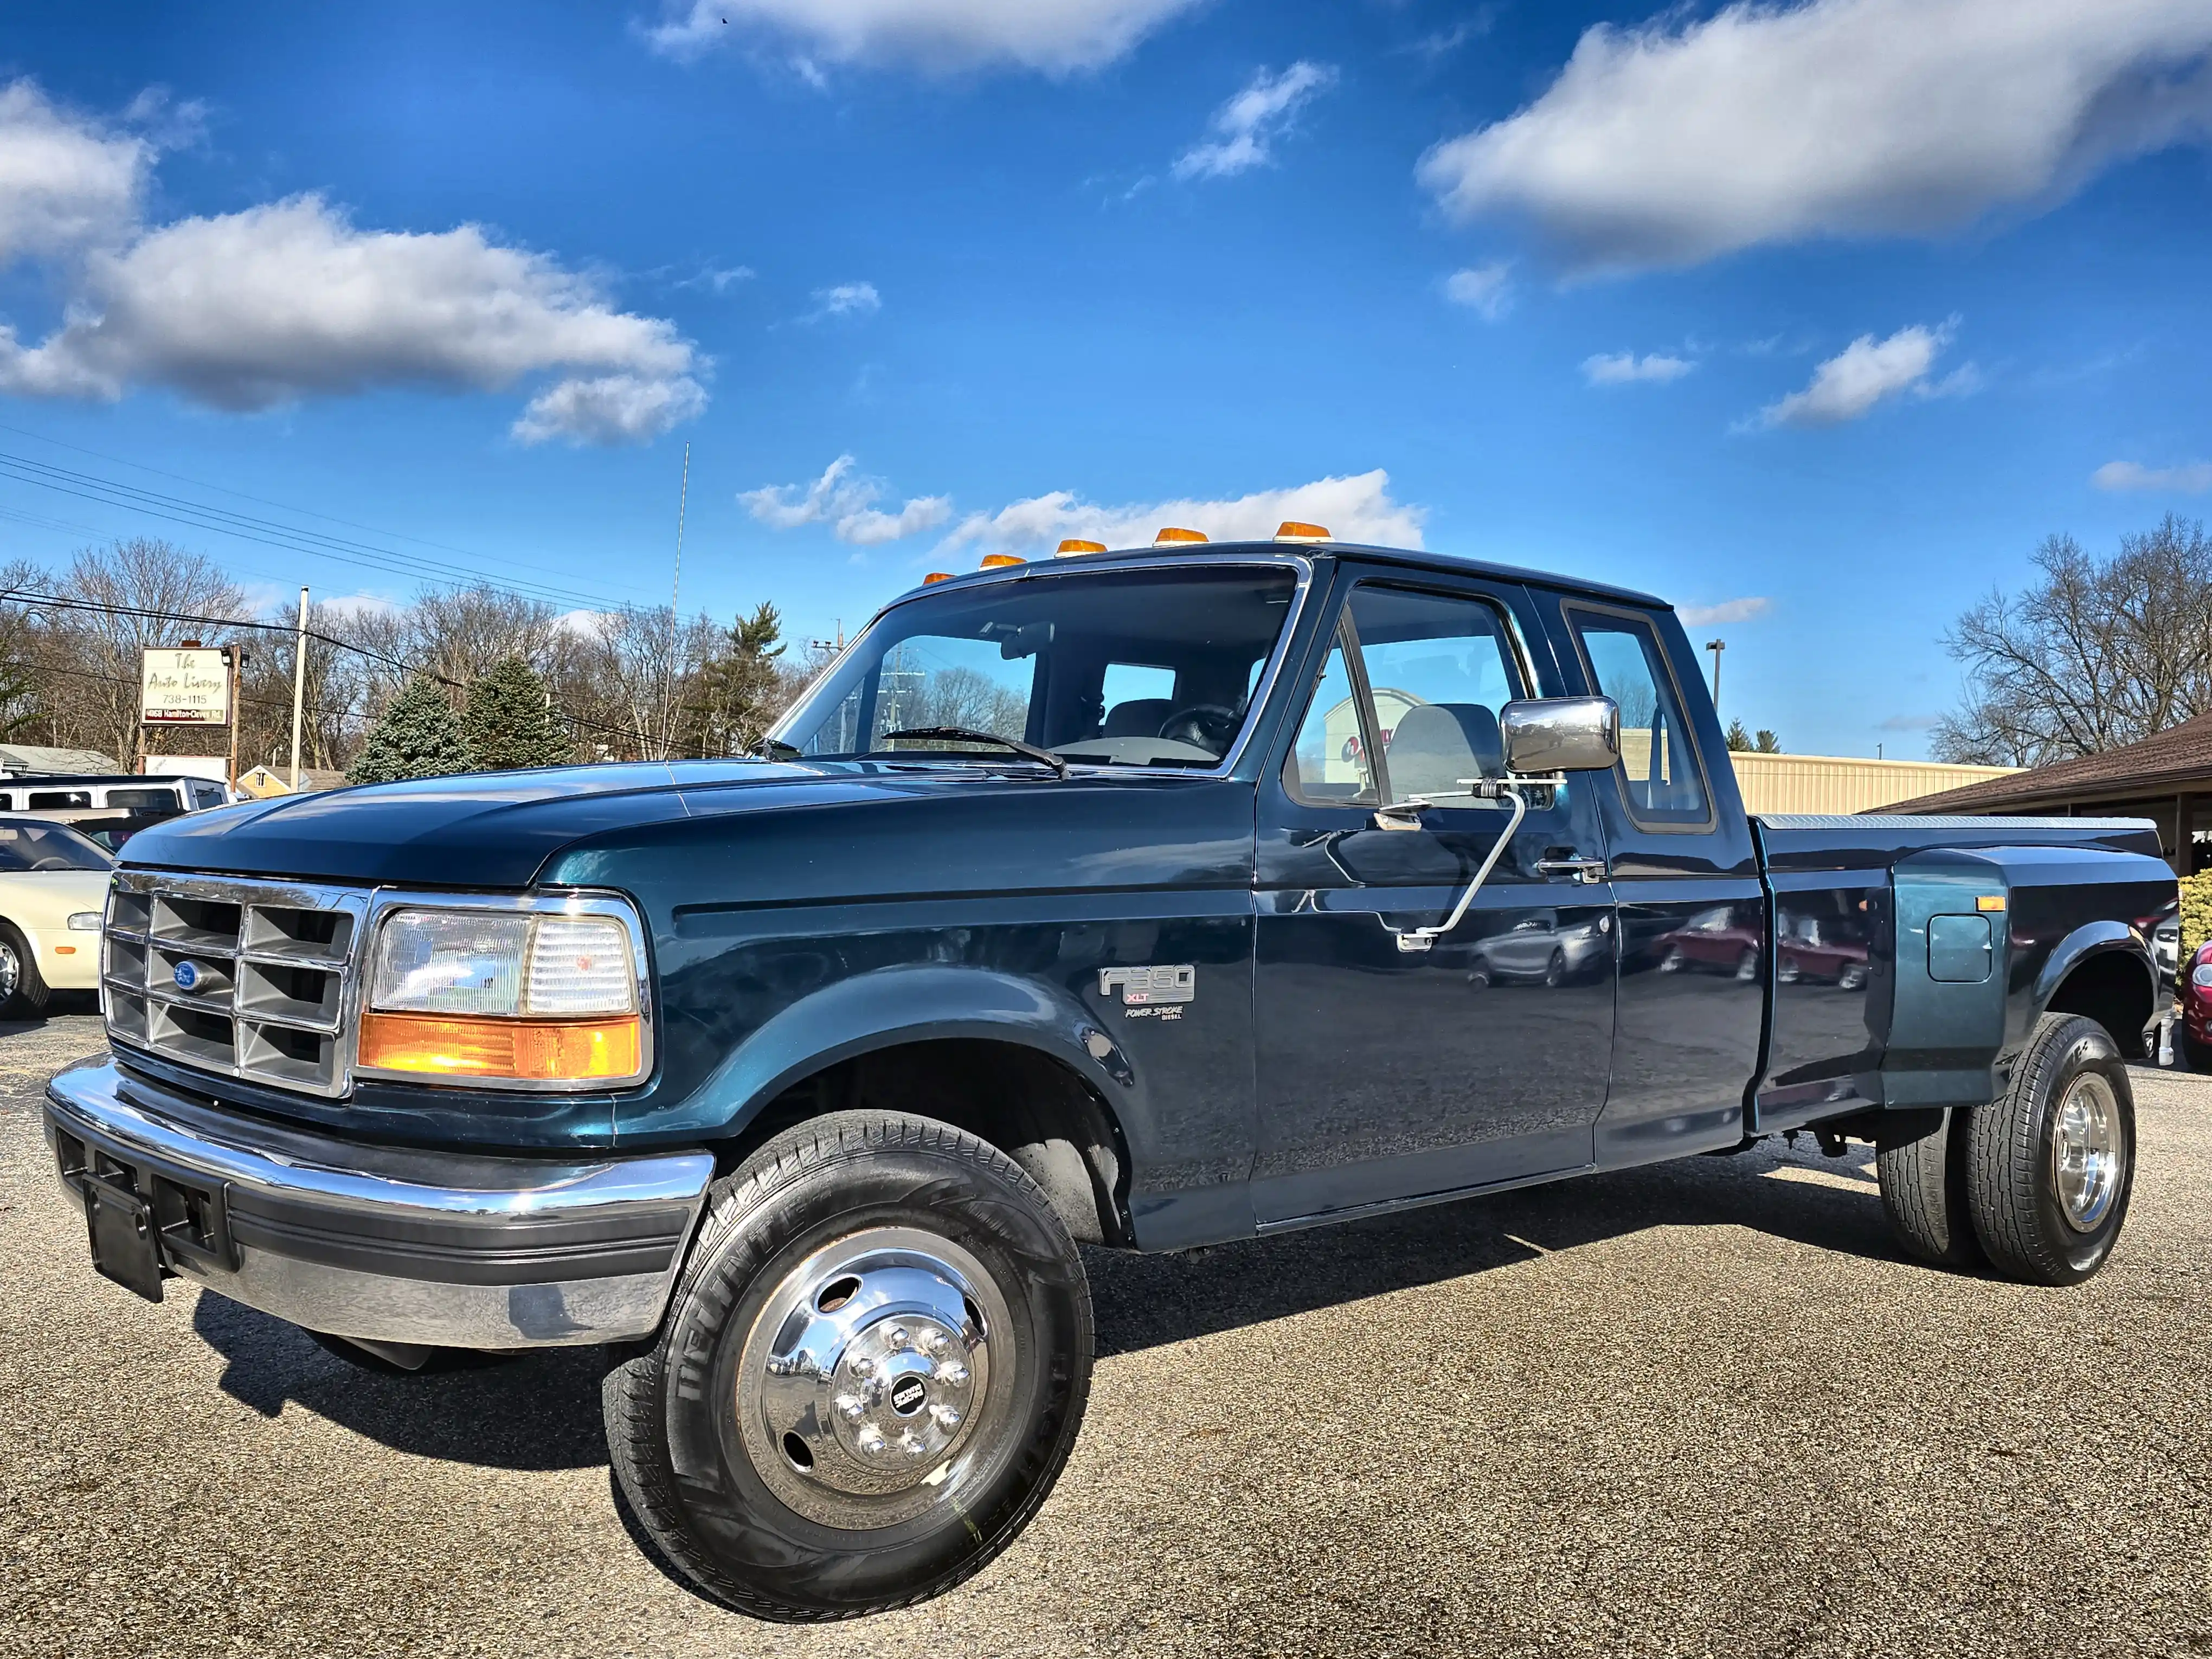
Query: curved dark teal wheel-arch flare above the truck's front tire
(915, 1003)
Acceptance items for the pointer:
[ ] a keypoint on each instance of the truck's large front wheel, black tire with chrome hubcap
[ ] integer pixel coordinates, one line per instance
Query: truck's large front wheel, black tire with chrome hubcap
(868, 1379)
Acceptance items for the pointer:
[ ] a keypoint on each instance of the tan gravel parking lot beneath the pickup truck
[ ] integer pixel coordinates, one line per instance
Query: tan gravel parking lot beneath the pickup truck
(1689, 1410)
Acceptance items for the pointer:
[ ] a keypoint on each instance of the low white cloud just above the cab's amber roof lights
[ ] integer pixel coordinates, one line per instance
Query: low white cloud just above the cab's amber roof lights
(1355, 510)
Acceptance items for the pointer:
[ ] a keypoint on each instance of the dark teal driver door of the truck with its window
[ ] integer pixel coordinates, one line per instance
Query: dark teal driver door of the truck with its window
(1395, 1074)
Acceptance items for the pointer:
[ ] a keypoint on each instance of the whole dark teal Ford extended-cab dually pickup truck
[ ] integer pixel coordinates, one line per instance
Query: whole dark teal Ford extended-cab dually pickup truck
(802, 1081)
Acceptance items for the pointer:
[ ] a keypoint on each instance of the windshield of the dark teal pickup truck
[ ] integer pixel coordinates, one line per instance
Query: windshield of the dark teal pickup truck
(1103, 669)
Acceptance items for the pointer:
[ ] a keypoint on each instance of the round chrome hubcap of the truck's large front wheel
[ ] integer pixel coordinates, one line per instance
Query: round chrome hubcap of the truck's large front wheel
(866, 1388)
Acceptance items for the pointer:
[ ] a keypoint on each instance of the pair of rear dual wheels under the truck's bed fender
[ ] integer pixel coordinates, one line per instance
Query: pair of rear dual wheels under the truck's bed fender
(2034, 1185)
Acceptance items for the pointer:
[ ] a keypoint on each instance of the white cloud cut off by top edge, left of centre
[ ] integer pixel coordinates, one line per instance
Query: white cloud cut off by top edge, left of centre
(1052, 36)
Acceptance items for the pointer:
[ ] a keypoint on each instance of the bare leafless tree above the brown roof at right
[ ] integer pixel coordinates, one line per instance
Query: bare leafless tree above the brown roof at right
(2094, 656)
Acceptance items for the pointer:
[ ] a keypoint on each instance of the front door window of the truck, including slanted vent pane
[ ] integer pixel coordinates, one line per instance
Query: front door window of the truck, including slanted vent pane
(1437, 671)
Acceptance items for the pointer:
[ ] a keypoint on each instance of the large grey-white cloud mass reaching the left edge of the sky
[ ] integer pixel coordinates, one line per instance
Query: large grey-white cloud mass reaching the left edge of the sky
(289, 300)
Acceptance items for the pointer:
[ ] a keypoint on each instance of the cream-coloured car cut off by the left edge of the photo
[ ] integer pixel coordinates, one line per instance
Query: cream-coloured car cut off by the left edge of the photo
(54, 886)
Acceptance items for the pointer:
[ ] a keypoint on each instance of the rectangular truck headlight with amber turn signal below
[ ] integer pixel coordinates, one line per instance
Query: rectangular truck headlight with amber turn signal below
(503, 997)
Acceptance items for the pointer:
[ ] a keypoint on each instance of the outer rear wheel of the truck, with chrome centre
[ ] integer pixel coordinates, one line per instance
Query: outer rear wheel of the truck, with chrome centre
(2052, 1162)
